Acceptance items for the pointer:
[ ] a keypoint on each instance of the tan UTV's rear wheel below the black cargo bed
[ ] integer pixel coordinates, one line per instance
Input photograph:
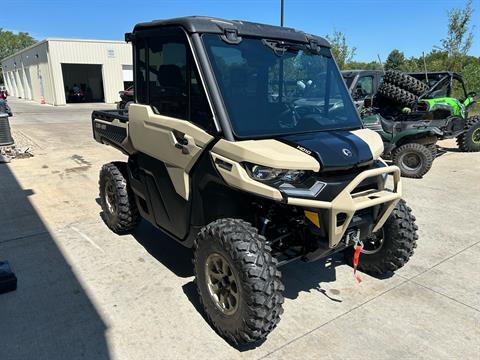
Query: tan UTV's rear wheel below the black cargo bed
(120, 211)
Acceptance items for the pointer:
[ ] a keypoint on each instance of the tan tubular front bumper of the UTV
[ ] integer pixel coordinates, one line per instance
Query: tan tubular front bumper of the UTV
(348, 202)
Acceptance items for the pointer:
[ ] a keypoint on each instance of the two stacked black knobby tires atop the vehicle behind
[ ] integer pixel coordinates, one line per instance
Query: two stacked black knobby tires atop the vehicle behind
(401, 89)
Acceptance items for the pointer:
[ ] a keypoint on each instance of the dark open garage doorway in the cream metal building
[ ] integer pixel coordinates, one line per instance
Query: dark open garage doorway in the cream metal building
(83, 83)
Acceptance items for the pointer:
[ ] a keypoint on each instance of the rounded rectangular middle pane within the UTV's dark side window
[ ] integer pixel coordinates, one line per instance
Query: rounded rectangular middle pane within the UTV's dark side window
(167, 78)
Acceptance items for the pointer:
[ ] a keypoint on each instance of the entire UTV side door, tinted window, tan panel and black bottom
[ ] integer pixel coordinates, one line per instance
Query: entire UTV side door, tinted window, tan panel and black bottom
(169, 126)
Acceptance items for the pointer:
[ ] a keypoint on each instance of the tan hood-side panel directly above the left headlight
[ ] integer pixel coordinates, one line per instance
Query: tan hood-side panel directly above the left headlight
(272, 153)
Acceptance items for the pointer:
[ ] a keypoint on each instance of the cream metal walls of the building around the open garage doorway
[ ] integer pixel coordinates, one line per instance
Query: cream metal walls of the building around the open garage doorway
(36, 72)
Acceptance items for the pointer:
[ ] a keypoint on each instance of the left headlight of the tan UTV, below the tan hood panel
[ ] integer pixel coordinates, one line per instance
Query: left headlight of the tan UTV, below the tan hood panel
(290, 182)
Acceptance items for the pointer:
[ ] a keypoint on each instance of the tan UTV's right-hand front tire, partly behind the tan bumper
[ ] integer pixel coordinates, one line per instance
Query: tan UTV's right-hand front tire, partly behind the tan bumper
(392, 246)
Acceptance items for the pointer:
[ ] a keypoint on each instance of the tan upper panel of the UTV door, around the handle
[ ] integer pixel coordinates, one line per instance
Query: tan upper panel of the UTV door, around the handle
(153, 135)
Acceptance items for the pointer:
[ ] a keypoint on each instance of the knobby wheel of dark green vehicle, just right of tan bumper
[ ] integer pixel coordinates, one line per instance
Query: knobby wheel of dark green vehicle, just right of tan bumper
(414, 160)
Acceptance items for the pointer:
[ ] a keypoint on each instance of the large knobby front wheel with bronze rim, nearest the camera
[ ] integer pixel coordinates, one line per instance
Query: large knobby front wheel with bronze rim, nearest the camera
(238, 282)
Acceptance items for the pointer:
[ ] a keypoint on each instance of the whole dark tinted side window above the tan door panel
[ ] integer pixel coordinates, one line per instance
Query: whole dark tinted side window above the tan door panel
(167, 79)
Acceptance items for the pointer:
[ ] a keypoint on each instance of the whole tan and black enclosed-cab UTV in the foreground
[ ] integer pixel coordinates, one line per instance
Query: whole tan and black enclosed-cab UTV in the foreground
(244, 144)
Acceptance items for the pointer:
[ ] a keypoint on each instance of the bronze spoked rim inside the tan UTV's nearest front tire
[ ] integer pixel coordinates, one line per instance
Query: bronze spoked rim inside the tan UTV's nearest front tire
(222, 284)
